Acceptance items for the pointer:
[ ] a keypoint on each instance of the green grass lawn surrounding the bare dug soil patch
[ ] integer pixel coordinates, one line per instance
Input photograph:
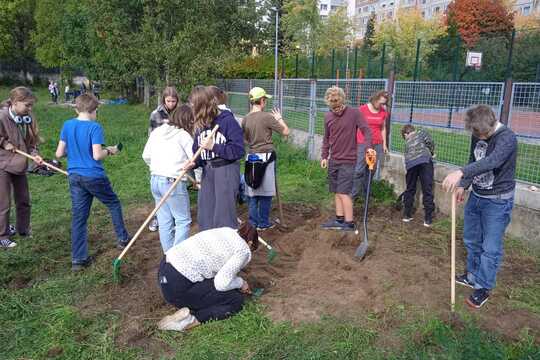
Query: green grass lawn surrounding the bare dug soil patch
(41, 312)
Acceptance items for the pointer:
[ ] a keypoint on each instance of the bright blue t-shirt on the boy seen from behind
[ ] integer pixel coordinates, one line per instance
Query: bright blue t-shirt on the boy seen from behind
(79, 136)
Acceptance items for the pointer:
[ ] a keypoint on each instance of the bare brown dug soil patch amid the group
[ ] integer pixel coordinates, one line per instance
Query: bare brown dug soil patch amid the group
(406, 270)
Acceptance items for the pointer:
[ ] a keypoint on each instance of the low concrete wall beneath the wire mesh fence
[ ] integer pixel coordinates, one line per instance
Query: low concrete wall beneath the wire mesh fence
(525, 216)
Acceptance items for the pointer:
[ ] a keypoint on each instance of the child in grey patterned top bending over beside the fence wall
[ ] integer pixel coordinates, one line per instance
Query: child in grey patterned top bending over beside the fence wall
(419, 152)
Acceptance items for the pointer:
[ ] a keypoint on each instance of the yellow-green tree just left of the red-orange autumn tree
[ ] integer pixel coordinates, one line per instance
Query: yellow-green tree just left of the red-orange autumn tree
(401, 38)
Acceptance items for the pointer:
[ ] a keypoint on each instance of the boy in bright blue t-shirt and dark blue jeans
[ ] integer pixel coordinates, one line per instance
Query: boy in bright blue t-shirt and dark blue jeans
(80, 140)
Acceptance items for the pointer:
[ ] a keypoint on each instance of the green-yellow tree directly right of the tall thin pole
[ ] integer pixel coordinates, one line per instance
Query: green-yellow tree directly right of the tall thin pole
(302, 23)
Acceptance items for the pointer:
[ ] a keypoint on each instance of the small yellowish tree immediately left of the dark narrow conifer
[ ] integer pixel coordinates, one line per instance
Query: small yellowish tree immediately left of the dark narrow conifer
(336, 31)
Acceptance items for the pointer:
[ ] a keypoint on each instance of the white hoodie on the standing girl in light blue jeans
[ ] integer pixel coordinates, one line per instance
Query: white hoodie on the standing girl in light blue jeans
(167, 150)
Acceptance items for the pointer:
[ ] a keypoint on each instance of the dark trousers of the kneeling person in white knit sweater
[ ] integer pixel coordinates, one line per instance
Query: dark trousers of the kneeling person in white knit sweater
(202, 298)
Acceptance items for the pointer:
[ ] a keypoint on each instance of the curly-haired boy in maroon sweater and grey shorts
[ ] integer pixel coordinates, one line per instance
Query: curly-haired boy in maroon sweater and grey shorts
(339, 154)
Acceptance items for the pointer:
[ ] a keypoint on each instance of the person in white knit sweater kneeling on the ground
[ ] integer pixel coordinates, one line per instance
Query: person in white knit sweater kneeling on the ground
(200, 276)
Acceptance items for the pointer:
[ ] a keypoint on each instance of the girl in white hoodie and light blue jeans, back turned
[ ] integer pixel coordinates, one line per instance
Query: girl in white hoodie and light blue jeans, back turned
(168, 149)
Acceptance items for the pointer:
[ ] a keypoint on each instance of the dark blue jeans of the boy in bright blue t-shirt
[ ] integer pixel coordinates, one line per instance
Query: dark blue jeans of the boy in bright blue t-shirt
(83, 190)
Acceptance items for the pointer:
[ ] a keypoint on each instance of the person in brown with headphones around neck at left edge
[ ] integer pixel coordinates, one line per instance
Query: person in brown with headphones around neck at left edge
(18, 131)
